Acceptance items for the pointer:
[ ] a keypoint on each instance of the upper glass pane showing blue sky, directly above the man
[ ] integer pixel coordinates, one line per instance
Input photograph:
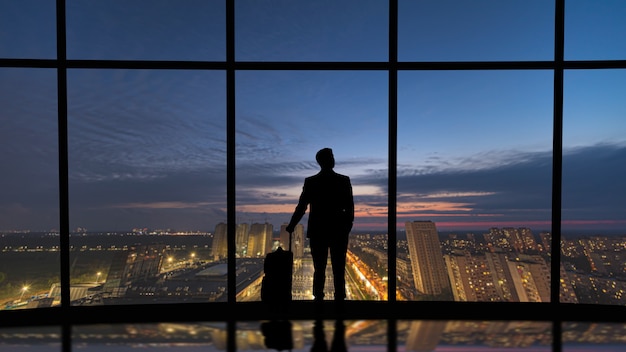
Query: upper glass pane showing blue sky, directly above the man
(327, 30)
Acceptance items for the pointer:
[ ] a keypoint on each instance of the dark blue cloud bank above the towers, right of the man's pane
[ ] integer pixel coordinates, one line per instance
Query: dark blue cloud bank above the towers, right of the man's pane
(520, 189)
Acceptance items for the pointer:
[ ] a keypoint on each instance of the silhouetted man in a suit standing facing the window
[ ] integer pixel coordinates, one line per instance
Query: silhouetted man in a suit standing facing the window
(331, 214)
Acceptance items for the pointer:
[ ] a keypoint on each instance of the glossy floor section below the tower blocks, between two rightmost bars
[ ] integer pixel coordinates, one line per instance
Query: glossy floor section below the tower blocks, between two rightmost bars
(466, 335)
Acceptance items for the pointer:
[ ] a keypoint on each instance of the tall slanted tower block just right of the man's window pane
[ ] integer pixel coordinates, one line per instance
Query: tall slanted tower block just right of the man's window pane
(429, 269)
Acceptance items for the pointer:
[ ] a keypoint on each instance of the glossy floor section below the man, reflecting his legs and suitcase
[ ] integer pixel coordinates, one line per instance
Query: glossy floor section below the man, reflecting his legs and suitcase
(320, 335)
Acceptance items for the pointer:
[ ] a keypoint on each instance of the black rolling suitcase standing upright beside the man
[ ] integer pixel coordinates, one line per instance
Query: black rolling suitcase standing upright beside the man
(276, 283)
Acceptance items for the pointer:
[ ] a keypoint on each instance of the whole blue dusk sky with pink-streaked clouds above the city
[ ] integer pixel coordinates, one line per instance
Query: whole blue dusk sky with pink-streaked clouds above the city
(147, 148)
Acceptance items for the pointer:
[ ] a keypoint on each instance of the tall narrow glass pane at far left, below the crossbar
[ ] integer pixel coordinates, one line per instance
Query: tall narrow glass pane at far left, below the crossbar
(29, 206)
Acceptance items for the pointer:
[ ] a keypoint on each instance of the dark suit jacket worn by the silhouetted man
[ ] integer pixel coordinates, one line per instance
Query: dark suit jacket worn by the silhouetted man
(329, 196)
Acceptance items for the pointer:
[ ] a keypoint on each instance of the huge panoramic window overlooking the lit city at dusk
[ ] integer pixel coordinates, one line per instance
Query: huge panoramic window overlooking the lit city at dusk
(463, 130)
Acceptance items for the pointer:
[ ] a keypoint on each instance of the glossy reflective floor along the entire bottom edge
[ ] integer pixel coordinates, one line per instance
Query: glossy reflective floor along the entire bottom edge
(323, 335)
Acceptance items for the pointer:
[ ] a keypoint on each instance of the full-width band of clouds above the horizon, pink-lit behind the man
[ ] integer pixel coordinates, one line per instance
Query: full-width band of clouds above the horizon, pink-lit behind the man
(518, 191)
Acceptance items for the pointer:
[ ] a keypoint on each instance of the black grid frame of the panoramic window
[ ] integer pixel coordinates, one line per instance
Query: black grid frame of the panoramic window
(554, 311)
